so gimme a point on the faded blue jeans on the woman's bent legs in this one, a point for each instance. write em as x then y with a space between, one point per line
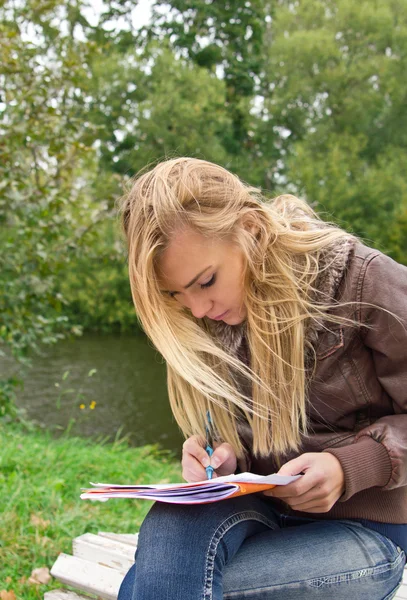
245 548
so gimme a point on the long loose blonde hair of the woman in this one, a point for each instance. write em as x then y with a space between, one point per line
282 265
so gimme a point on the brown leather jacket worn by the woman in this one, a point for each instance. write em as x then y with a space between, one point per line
358 393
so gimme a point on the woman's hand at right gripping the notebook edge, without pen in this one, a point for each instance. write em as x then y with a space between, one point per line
317 490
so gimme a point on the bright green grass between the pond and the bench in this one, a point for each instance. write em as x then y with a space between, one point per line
40 508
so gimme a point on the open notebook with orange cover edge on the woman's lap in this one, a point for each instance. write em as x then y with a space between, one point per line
201 492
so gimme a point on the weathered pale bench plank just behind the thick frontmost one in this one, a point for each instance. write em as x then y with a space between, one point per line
104 551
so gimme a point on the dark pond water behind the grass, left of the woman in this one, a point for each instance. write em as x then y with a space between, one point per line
102 385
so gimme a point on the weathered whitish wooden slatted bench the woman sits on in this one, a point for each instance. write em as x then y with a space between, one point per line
100 562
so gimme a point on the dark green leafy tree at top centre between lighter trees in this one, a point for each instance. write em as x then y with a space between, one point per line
225 38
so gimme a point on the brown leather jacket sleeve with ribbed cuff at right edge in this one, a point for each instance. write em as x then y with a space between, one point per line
378 455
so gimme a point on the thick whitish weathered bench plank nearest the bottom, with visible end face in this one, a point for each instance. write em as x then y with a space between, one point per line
87 576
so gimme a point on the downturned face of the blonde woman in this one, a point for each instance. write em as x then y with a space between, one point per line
204 275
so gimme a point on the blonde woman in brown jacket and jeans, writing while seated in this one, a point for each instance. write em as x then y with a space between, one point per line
293 335
